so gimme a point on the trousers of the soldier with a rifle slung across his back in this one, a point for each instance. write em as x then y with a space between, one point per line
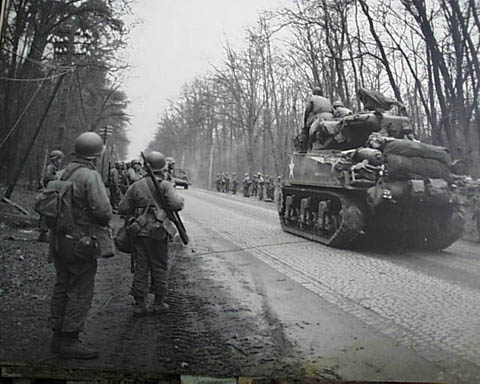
151 259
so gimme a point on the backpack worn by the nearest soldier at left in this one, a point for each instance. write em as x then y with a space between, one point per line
55 202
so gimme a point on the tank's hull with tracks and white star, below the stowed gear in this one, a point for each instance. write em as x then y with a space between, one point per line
325 201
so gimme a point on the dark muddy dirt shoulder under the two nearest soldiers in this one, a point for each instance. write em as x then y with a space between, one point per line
208 330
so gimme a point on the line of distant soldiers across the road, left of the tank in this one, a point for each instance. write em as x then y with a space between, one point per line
258 185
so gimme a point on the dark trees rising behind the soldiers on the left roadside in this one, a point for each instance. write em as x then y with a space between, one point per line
59 75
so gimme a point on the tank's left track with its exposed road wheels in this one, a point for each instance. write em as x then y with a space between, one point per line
330 218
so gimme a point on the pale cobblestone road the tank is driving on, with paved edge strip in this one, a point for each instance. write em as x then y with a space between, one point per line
365 314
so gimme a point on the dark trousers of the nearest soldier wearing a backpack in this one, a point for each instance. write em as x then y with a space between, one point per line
73 290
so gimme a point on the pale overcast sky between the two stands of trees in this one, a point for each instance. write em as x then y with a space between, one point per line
176 41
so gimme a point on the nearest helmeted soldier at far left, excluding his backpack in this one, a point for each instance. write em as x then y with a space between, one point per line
75 255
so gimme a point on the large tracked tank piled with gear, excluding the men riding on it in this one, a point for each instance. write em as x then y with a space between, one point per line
364 176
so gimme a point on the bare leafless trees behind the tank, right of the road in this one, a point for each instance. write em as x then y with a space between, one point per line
242 115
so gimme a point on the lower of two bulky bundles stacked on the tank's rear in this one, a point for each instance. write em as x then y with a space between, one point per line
405 168
